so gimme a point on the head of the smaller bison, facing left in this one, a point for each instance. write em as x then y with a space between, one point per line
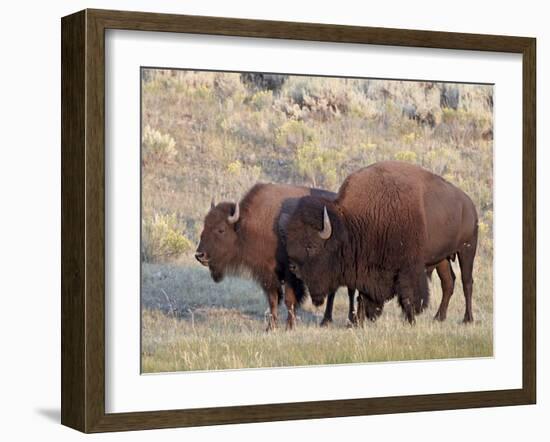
218 246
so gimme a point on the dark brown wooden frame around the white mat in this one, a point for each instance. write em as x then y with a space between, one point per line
83 220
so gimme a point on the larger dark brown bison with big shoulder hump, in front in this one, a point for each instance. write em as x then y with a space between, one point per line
374 236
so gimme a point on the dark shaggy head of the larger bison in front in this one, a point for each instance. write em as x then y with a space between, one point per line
314 236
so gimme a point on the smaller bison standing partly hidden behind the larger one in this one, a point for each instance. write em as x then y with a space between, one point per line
244 238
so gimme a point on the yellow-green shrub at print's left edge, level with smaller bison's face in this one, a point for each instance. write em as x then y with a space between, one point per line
162 239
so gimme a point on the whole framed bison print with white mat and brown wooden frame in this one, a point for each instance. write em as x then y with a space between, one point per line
268 220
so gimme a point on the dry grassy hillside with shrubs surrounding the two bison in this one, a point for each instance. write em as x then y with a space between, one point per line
208 135
